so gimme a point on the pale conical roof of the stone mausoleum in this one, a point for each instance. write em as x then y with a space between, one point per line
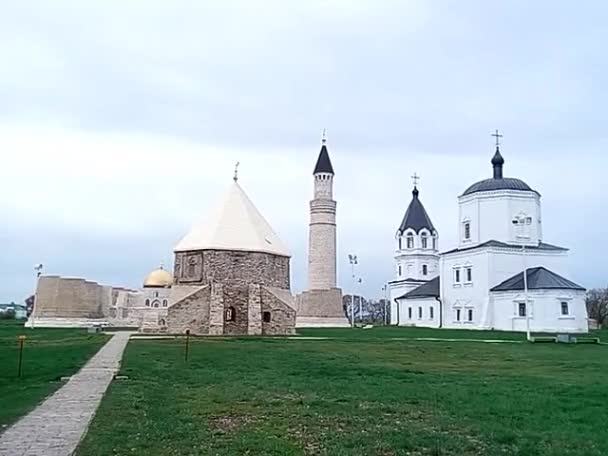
235 224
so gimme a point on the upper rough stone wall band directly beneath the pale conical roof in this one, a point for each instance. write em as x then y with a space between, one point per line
231 267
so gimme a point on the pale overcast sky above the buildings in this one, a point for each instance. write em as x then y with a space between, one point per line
120 123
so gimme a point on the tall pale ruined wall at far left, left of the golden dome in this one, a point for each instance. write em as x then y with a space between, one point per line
70 298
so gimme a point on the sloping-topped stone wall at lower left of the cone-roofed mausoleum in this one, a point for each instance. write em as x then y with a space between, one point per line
191 312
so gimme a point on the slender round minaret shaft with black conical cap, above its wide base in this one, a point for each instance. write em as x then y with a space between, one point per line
322 233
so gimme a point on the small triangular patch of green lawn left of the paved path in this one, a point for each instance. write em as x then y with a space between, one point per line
48 355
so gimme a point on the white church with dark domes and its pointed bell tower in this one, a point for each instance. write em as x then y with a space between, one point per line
481 284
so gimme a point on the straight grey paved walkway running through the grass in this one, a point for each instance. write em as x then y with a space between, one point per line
56 426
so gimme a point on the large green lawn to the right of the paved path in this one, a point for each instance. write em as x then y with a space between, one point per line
372 396
